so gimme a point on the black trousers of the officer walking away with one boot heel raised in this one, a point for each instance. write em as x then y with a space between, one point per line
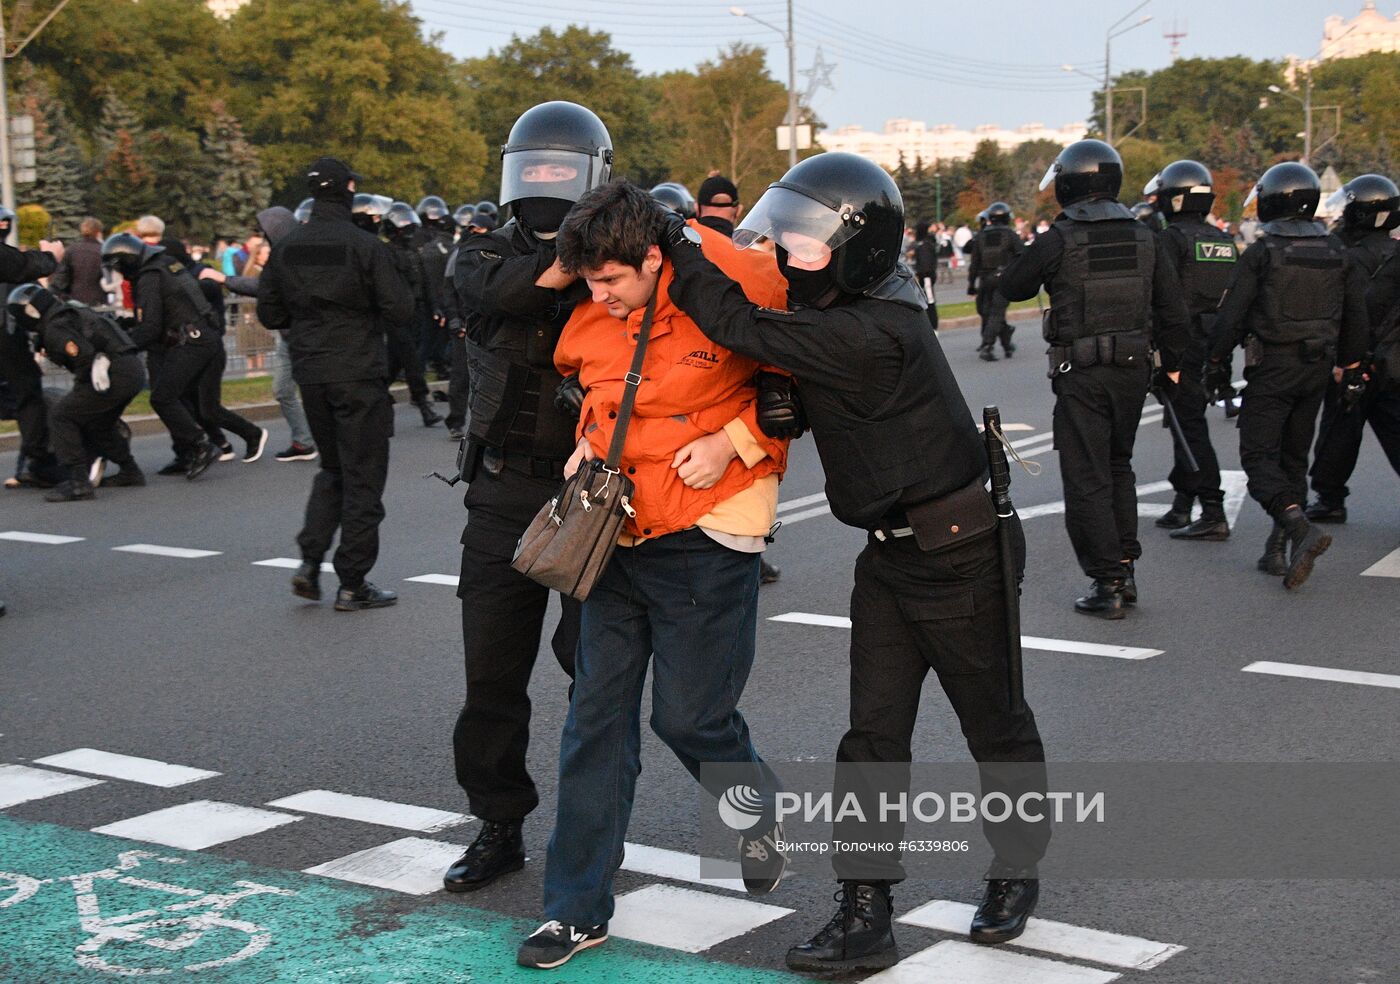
1277 416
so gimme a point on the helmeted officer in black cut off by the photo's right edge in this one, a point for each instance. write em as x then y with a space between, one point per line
1370 209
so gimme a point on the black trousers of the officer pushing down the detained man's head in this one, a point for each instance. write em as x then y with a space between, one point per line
913 612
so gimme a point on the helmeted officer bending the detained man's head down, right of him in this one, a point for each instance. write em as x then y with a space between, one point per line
927 596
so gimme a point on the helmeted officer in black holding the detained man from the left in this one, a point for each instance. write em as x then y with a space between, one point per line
519 442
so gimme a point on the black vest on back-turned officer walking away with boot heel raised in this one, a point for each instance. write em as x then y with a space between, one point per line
1304 285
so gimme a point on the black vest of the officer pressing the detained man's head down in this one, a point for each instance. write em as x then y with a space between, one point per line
922 444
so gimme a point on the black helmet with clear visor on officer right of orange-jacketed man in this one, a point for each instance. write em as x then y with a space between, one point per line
834 204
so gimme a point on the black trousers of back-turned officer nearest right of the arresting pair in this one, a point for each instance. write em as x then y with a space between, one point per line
1097 416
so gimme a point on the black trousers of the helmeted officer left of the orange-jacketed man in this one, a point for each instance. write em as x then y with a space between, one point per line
503 617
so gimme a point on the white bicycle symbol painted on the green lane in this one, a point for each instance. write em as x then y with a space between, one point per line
171 929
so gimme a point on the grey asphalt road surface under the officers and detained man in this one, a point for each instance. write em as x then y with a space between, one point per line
211 663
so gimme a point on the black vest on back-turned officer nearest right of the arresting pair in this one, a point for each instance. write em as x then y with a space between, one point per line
1105 281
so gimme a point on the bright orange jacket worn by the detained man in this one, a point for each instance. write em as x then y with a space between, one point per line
691 388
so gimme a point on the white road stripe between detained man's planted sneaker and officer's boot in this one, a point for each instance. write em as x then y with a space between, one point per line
687 920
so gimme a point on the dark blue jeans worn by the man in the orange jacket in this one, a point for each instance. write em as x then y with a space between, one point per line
689 607
